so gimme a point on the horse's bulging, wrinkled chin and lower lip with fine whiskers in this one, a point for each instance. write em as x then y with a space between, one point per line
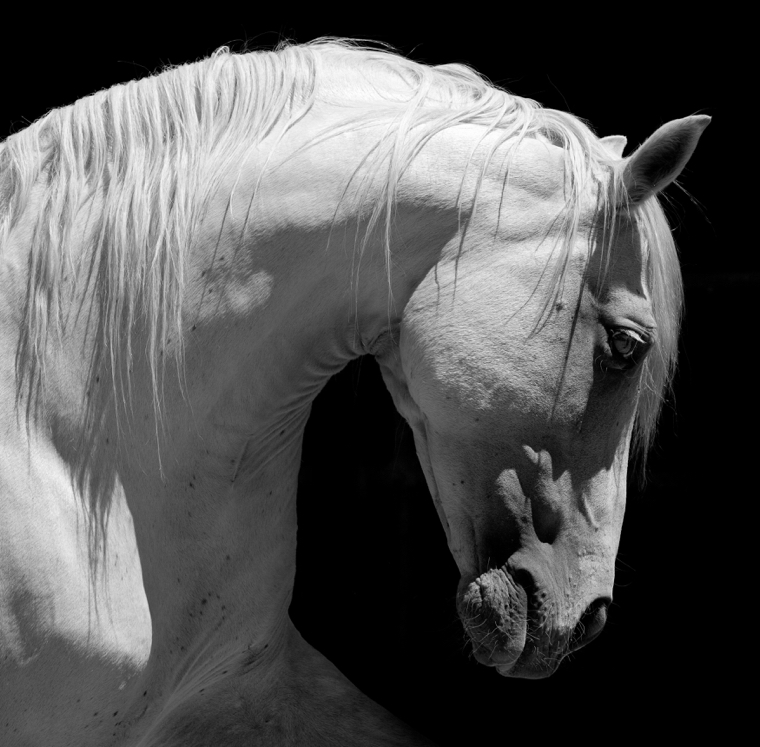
496 613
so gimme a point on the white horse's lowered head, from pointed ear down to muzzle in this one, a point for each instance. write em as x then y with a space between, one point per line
522 370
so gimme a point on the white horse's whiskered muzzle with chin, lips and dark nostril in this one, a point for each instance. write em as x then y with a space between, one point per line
513 623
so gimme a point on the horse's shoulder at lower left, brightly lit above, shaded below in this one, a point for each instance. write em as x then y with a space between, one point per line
69 643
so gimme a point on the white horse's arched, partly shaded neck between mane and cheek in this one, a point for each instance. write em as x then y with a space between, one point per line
271 315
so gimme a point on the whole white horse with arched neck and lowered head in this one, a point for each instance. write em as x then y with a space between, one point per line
185 261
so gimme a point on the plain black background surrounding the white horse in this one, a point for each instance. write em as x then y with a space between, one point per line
375 586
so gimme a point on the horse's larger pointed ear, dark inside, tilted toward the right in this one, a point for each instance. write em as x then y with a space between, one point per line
662 157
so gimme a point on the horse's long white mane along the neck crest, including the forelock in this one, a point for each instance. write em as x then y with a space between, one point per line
151 153
